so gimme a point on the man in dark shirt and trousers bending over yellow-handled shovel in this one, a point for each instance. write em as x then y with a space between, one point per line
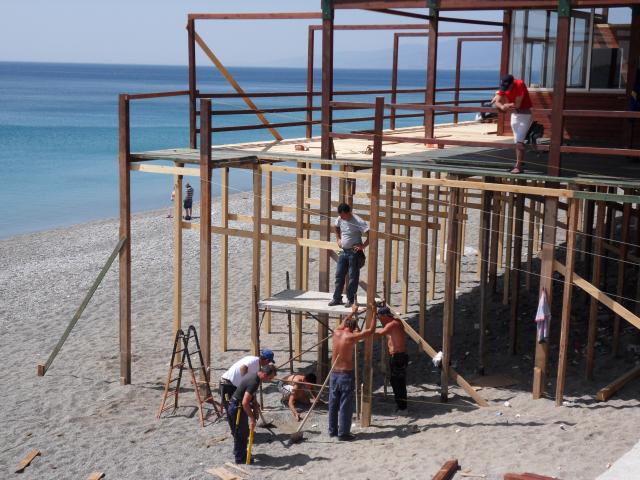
244 403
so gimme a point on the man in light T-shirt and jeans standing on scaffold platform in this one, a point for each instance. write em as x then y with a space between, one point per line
349 229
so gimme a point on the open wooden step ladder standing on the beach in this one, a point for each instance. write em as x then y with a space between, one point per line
201 387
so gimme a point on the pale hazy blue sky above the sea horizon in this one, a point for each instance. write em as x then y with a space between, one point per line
153 32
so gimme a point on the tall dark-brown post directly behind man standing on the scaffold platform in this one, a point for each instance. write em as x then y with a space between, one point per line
326 149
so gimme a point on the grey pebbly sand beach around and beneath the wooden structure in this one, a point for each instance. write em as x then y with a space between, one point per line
83 420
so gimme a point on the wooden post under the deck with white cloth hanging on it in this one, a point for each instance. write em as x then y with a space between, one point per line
546 284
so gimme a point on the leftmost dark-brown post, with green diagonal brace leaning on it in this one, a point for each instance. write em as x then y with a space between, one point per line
124 257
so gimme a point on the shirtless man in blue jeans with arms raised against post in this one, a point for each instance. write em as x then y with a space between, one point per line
341 383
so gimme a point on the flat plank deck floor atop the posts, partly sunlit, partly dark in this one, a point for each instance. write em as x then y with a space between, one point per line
465 161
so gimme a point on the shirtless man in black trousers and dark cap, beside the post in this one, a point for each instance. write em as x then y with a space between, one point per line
393 329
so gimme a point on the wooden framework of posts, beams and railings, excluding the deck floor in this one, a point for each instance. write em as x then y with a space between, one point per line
444 194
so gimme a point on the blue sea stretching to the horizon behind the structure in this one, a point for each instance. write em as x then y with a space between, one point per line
59 130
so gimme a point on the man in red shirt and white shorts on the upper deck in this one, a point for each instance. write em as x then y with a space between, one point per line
513 97
